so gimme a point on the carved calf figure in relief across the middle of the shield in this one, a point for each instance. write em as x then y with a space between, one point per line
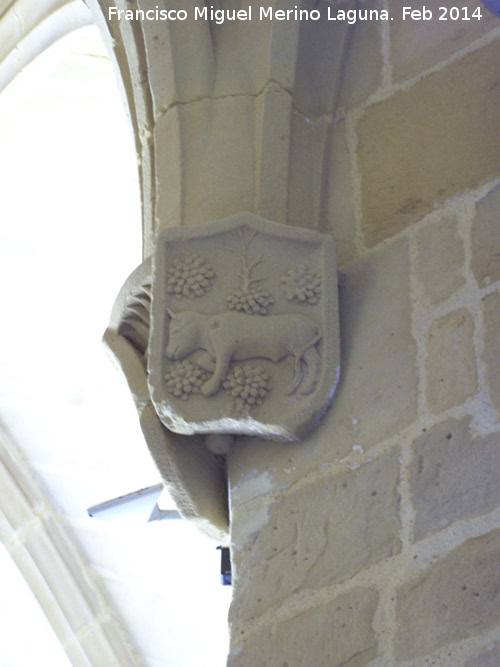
233 336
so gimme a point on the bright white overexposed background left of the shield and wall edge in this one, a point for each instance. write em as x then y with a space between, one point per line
70 233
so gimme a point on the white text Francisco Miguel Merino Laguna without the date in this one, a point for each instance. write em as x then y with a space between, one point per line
264 13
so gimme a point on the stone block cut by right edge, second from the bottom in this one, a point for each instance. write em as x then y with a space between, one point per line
454 599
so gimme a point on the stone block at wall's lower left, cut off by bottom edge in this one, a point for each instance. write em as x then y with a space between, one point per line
335 634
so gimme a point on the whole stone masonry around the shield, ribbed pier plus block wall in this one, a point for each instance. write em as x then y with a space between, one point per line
375 540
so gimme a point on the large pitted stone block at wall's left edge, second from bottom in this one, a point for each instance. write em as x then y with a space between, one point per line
319 535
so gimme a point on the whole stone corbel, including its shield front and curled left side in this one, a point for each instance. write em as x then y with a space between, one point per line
232 330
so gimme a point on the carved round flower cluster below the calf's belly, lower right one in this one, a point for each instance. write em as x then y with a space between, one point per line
248 386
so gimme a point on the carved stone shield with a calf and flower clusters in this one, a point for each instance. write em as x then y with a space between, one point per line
244 329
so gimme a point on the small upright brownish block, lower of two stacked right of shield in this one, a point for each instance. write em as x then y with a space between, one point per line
451 364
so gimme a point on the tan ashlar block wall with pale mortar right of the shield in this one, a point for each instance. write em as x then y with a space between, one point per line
376 540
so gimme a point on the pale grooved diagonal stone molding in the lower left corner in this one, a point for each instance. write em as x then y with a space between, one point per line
51 567
